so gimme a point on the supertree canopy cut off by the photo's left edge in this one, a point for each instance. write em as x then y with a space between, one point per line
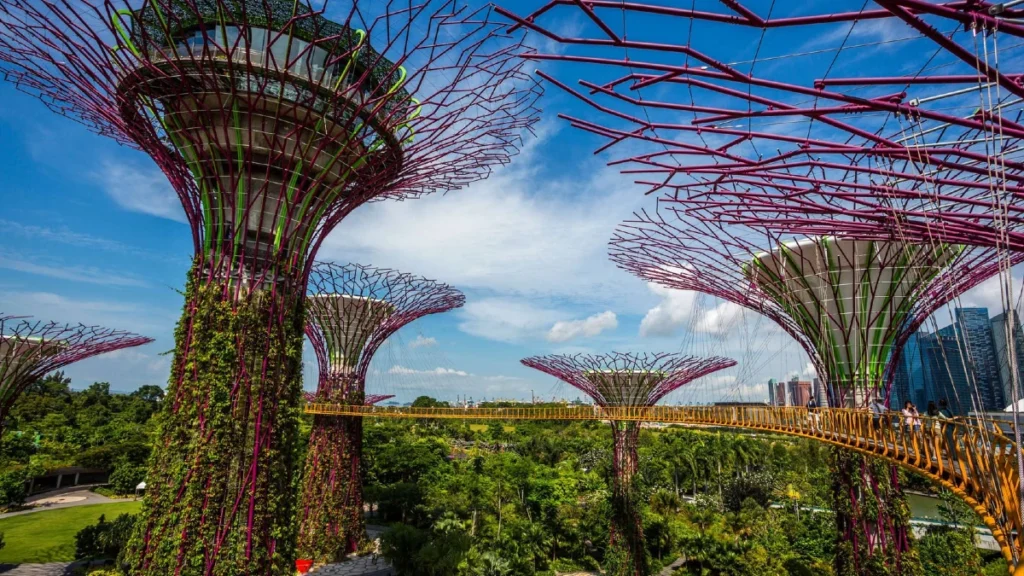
32 349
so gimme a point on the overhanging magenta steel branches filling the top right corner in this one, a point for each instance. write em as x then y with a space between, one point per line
924 141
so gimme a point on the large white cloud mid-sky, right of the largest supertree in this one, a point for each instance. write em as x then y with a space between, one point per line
519 233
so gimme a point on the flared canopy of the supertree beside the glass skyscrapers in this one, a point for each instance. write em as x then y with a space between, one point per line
685 252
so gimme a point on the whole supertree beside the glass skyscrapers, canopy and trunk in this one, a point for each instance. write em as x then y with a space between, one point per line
850 304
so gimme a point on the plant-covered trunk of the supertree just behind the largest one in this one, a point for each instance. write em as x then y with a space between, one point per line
331 523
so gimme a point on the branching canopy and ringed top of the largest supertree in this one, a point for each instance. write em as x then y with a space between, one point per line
306 117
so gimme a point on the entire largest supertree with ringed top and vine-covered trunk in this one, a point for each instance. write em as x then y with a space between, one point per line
272 124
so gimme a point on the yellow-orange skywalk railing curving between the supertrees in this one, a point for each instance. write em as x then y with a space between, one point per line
975 460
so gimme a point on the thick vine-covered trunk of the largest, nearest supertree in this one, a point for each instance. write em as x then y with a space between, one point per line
221 478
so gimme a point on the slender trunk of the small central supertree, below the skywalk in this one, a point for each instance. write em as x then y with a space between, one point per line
627 555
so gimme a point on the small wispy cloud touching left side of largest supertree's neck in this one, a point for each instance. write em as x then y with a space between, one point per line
142 191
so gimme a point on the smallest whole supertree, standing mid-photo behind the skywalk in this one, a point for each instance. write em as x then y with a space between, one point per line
626 380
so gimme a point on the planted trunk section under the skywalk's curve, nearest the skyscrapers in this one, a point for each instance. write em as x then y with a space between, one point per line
873 518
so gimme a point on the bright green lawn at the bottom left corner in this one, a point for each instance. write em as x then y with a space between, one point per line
50 536
